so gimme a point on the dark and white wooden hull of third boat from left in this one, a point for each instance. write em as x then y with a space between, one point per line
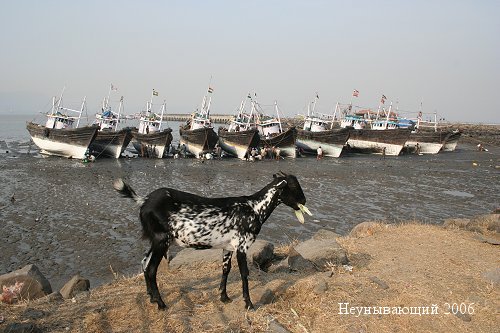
152 144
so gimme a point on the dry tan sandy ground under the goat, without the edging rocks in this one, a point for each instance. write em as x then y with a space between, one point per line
399 266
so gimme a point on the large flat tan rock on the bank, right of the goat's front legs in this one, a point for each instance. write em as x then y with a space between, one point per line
321 251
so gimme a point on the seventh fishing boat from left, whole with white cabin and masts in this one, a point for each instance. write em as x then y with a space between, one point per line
318 132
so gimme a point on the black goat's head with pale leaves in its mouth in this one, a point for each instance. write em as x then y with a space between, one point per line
292 194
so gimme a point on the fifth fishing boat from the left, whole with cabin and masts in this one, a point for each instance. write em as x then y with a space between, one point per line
242 135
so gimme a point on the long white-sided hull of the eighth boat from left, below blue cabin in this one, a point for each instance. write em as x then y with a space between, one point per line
391 141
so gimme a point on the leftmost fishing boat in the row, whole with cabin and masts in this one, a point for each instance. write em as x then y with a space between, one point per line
61 134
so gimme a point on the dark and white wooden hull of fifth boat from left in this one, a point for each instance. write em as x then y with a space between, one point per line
238 143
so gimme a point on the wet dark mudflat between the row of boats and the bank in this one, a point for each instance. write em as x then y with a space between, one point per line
66 218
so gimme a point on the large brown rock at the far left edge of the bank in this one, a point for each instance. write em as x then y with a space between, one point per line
35 285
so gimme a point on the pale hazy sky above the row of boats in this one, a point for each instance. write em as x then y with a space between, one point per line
444 53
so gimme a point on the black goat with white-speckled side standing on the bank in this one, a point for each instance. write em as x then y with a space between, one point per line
231 224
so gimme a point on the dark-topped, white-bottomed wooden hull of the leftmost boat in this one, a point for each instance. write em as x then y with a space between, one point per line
71 143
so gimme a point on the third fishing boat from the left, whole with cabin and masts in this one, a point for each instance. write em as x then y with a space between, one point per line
151 139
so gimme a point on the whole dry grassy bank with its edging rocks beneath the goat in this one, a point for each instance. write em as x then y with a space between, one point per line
381 277
